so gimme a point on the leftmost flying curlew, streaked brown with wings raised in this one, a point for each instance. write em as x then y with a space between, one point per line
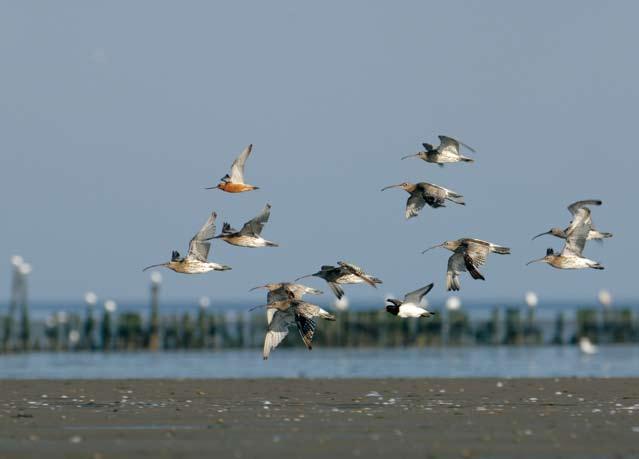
196 260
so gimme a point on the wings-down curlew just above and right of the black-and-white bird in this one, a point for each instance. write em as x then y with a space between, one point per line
468 255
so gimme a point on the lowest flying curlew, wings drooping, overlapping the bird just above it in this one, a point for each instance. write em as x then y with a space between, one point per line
288 312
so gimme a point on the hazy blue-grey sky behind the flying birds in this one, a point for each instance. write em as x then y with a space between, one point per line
115 115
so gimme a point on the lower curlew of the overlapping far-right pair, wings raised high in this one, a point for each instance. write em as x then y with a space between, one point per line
576 236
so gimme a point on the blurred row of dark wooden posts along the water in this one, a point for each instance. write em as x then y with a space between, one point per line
205 330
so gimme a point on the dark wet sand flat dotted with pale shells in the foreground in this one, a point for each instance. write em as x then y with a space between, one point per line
426 418
